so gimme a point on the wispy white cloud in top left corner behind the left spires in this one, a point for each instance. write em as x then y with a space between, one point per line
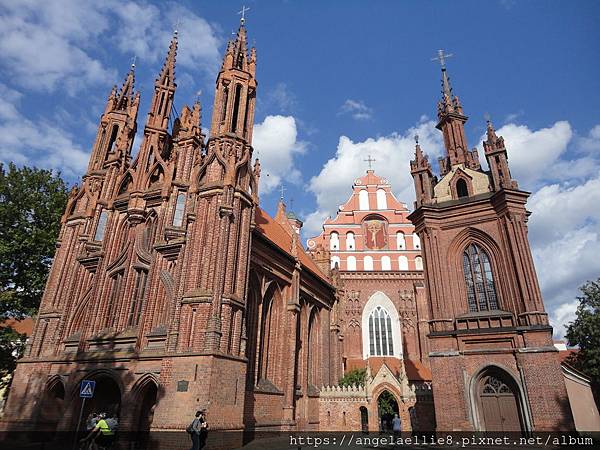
53 44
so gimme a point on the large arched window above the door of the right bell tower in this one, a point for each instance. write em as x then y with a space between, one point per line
481 290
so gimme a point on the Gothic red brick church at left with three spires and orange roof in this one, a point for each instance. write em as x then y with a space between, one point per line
171 287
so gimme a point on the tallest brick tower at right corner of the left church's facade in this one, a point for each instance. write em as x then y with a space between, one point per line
223 196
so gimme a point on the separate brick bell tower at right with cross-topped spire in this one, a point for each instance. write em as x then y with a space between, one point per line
492 357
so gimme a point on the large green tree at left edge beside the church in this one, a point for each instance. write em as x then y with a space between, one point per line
31 204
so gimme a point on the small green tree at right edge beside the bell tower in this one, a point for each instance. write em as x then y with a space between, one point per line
584 332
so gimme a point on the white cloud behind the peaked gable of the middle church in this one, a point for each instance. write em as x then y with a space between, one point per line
332 186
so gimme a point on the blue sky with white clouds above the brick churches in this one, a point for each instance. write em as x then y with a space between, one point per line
337 81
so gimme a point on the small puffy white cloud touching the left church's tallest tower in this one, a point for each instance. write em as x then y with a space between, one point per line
275 141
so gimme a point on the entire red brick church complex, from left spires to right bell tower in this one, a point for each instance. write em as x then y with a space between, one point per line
175 291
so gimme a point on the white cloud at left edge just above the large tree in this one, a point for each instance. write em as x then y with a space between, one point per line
41 144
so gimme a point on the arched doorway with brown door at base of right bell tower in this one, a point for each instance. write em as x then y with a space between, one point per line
498 402
